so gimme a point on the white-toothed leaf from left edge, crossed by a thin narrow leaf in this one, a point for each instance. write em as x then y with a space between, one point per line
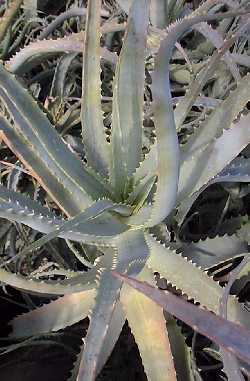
16 207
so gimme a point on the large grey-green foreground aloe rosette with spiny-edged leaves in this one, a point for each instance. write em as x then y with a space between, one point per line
121 196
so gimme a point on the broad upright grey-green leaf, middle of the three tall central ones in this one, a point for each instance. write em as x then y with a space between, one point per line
126 137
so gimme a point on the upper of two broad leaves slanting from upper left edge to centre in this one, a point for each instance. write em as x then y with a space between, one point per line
45 144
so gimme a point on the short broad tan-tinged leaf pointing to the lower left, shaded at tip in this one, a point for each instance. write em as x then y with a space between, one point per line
56 315
